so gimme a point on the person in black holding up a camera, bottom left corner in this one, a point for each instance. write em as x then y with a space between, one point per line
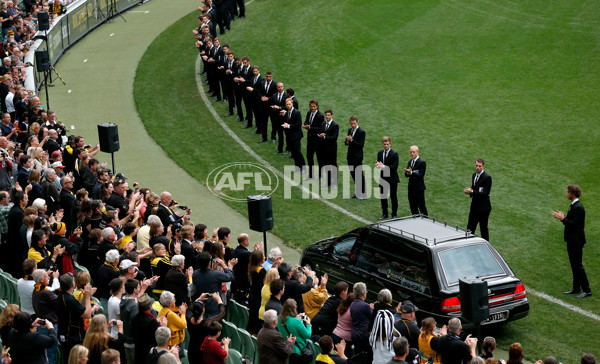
27 345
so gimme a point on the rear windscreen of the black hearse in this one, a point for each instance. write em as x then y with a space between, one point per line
469 261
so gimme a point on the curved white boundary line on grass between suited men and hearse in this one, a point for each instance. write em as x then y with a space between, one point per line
259 158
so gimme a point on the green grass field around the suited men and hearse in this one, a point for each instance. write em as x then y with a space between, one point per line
512 82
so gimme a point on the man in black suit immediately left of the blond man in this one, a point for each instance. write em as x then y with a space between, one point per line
387 161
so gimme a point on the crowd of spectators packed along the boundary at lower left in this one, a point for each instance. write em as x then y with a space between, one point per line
62 211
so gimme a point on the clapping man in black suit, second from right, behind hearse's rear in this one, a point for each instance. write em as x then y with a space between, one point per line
481 185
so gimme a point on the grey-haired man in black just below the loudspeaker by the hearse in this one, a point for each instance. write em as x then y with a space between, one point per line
452 348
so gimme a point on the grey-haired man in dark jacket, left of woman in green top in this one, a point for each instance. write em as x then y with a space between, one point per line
271 345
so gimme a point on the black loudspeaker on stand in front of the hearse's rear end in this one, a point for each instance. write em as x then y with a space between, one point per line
474 302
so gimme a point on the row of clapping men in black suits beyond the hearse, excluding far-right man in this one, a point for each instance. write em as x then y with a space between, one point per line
265 99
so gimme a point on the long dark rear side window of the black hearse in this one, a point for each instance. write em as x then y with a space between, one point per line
398 262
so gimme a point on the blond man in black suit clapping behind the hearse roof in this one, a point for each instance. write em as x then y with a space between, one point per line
415 172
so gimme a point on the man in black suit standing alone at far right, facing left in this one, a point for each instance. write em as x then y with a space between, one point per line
575 237
